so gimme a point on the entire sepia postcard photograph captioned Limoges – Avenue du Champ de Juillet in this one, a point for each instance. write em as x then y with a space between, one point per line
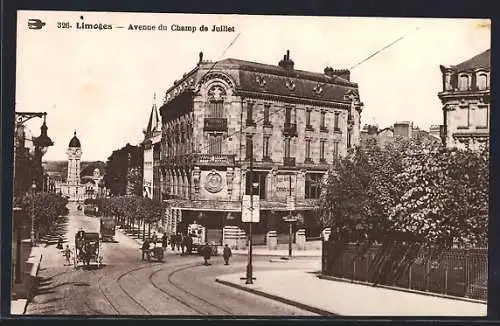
250 165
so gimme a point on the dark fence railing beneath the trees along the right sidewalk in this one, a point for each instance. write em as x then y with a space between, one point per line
454 272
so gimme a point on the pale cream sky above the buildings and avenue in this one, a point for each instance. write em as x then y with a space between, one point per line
101 83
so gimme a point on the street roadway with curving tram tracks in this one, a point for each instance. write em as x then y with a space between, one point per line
125 285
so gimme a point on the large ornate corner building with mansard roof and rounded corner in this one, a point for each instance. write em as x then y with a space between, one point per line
220 115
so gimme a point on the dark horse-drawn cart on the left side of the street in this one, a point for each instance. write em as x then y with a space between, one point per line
87 249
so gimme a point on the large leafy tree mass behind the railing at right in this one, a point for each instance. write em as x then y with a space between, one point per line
409 196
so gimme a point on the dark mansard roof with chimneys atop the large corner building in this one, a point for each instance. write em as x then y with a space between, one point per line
282 80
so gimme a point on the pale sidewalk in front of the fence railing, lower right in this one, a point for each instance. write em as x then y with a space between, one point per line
325 297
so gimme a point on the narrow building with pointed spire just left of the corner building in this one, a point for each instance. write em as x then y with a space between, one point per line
152 149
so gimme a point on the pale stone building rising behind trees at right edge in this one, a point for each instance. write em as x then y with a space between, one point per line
466 102
